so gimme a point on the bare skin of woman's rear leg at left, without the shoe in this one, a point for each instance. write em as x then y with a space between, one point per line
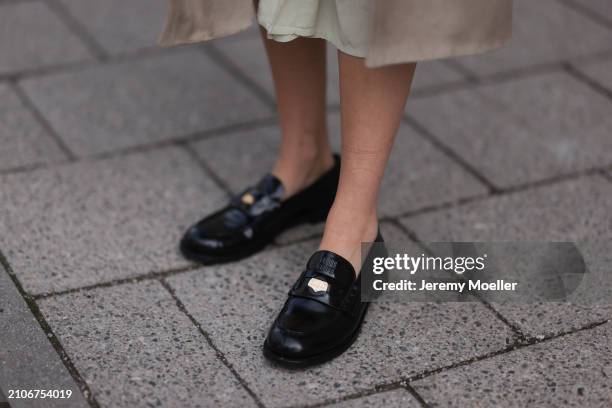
298 70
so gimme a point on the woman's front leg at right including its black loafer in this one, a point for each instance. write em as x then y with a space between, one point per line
309 330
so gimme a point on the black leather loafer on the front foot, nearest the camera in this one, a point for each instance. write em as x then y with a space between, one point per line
323 314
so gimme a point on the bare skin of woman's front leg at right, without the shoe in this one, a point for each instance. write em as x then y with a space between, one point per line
372 104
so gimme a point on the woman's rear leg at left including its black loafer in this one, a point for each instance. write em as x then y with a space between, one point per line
305 165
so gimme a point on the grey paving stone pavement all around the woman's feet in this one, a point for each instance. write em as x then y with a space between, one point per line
110 147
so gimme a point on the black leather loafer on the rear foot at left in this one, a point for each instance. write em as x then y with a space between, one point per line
256 216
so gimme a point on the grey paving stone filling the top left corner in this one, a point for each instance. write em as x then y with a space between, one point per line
33 37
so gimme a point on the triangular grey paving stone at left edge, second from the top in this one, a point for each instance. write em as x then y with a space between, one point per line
23 142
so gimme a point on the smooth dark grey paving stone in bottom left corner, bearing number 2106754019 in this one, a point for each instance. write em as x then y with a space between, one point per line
27 358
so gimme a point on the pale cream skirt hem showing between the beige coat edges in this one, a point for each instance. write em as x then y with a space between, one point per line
344 23
